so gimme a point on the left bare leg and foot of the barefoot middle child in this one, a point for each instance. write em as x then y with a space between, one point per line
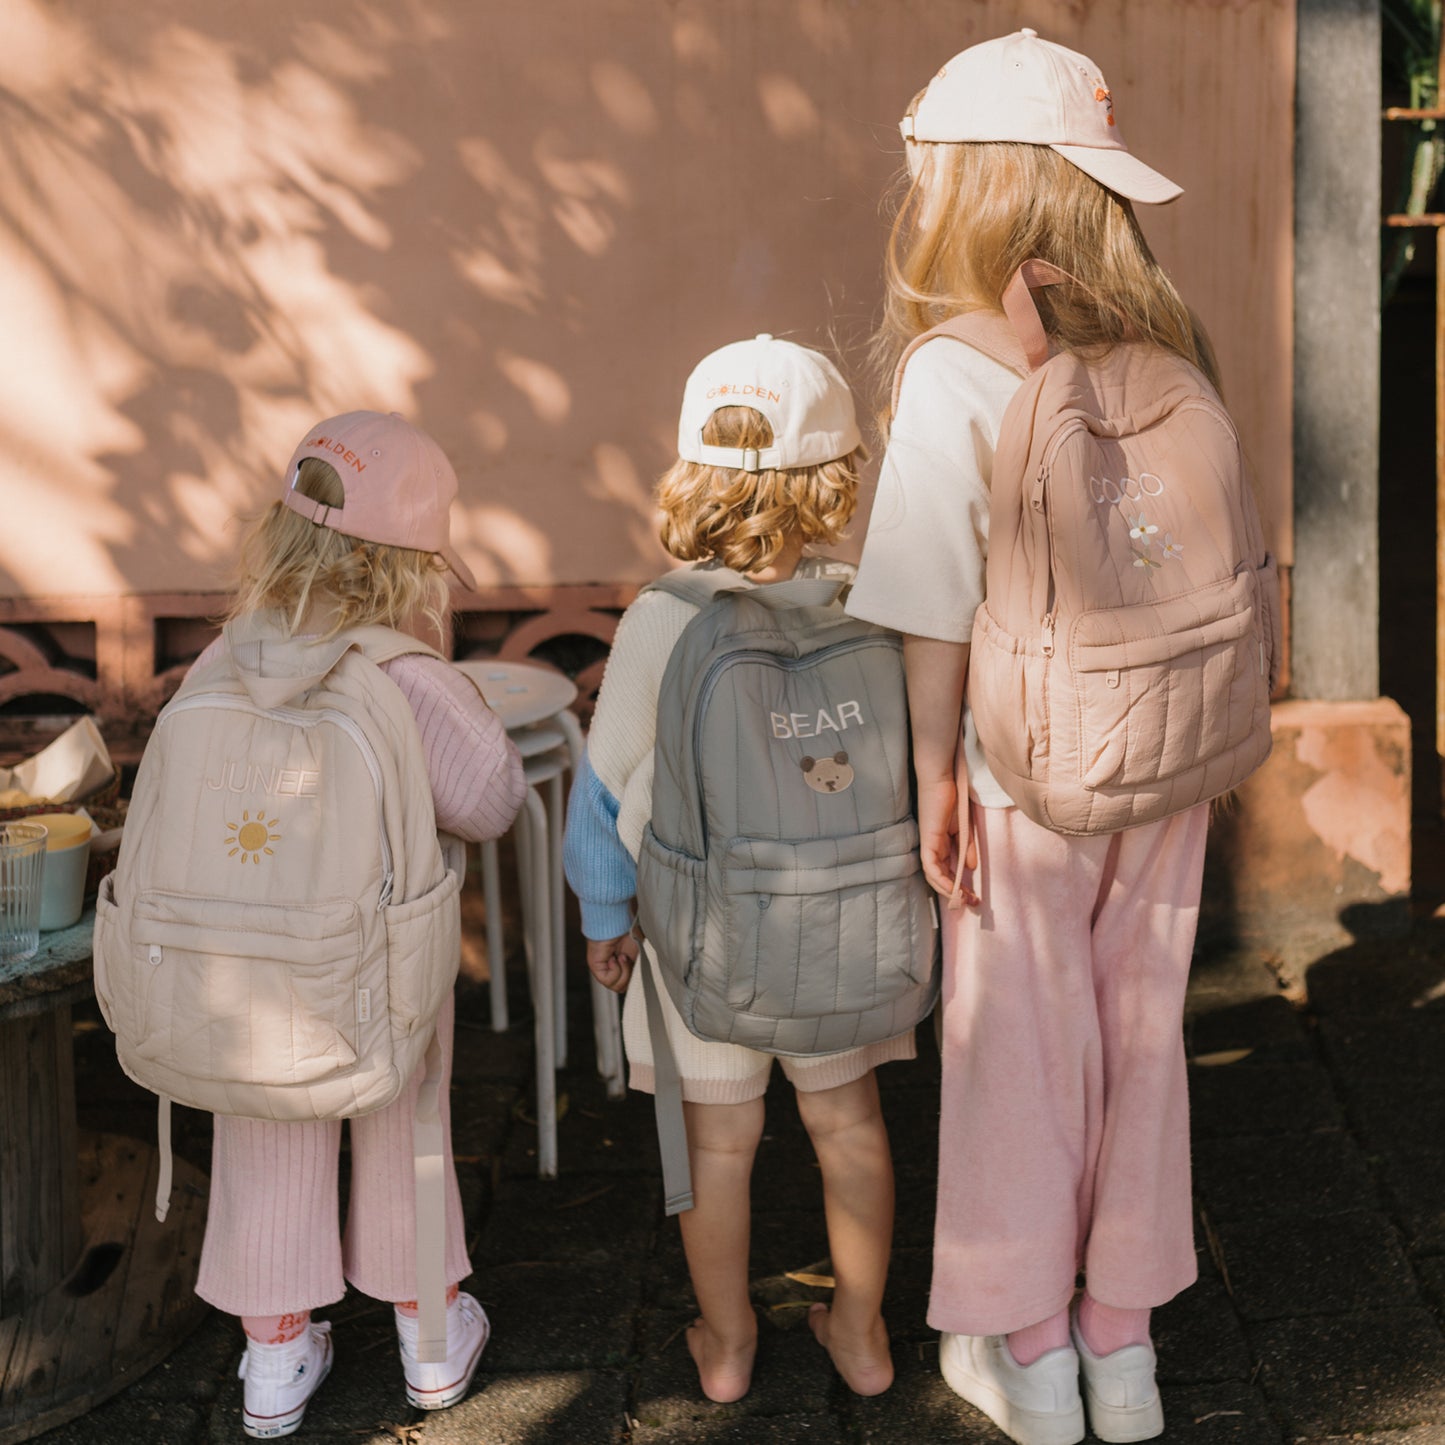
716 1233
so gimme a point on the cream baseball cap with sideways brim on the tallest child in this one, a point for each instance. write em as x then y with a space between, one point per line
1021 87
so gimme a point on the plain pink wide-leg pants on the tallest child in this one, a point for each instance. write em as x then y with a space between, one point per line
1066 1118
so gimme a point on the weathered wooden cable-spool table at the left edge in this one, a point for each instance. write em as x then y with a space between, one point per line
93 1290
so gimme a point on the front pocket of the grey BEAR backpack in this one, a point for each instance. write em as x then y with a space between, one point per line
826 927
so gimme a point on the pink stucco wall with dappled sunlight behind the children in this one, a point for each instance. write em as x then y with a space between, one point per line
521 225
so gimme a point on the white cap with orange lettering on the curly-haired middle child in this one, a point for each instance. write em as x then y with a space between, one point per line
800 391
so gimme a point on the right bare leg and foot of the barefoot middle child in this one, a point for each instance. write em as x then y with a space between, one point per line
846 1126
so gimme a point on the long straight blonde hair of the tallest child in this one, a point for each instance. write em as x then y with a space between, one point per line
975 212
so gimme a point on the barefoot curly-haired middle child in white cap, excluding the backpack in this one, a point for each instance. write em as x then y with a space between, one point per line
768 456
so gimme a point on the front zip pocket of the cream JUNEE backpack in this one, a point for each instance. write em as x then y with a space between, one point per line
246 993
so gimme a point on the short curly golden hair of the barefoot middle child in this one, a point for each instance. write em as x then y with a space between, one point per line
743 519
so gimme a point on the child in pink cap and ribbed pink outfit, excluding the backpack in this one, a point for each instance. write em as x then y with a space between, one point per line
358 538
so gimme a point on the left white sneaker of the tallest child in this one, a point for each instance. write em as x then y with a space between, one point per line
1034 1405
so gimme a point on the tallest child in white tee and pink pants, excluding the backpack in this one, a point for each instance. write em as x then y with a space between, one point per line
1064 1132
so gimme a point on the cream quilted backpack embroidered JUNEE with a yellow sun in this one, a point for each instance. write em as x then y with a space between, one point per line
282 928
